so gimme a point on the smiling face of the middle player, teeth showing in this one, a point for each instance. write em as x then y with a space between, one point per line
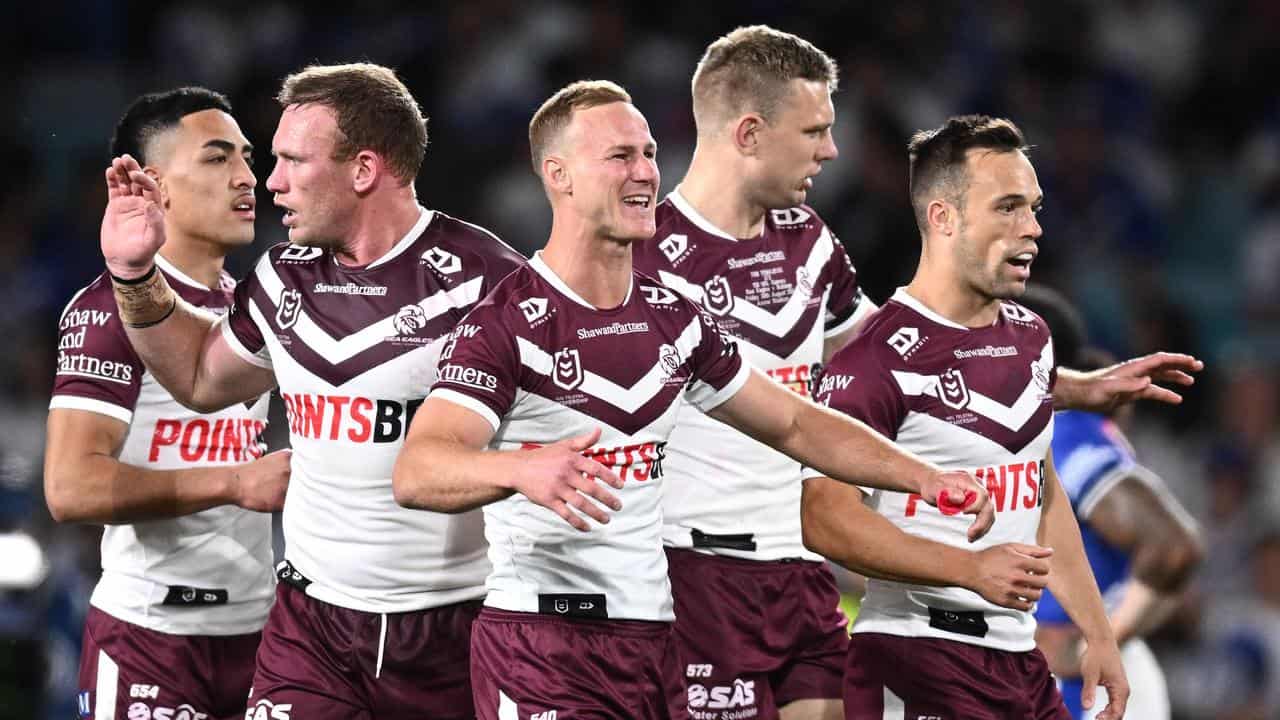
610 160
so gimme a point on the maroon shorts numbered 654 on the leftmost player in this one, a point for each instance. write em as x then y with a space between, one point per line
131 672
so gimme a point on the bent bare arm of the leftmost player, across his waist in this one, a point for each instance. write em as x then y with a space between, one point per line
86 484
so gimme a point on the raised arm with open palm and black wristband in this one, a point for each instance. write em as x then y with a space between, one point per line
181 345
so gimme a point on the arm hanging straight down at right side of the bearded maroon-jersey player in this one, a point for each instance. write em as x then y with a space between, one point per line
1076 589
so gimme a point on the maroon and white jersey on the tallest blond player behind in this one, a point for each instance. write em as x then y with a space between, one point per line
780 295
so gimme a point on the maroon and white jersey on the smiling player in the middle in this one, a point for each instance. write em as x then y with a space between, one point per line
541 366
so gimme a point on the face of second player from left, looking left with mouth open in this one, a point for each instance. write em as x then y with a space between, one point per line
314 190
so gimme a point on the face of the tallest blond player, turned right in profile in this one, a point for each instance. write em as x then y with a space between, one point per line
794 147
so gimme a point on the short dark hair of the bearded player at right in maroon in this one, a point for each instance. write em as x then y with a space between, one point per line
939 158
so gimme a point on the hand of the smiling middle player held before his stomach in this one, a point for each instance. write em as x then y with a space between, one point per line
560 479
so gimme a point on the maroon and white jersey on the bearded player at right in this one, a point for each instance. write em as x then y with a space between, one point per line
966 399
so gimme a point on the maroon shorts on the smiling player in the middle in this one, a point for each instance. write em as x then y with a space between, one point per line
529 667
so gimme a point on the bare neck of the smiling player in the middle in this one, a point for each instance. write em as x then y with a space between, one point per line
597 270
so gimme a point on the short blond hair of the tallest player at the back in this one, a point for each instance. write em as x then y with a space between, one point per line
751 70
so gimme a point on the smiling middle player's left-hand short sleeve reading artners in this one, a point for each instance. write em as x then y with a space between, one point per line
479 367
